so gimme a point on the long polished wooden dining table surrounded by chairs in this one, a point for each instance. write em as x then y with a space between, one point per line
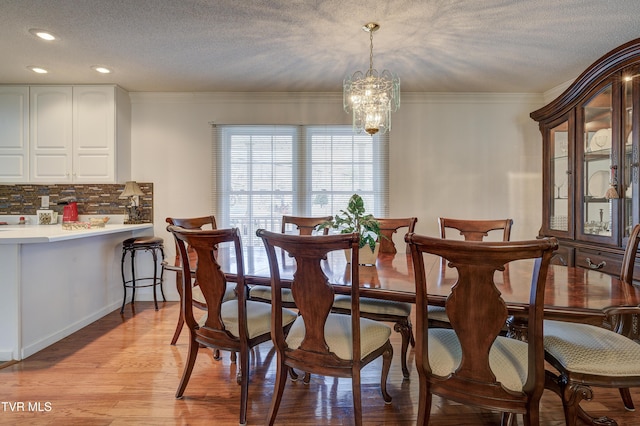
571 293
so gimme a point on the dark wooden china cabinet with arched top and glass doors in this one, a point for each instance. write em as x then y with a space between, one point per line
590 153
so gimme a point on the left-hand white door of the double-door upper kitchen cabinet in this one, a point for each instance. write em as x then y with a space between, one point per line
50 134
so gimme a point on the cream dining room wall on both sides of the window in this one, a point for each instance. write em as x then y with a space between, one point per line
458 155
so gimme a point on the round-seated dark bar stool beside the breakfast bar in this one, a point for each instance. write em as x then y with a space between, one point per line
149 244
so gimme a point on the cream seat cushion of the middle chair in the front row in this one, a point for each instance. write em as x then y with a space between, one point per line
337 333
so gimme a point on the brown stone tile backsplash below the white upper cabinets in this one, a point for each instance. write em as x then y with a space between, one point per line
92 199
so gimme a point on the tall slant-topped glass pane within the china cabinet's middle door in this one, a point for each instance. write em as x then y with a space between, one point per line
599 166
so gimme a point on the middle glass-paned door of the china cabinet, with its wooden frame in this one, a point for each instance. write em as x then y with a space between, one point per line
599 162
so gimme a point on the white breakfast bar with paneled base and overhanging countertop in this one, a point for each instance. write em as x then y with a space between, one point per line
55 281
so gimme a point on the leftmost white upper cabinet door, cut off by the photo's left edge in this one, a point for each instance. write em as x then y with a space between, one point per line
14 134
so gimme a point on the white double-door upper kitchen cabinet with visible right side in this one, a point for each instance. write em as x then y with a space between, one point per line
79 134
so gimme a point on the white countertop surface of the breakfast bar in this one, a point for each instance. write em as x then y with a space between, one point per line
29 234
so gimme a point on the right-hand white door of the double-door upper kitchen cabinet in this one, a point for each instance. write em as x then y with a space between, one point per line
94 133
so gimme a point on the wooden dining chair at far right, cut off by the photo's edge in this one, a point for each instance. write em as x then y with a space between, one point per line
586 355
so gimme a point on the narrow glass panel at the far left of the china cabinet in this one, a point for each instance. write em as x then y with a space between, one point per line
560 175
